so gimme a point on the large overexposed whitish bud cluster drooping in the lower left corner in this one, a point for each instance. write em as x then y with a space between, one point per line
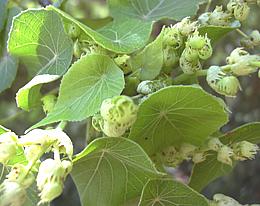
51 173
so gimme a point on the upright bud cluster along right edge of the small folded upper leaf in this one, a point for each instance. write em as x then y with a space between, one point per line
173 40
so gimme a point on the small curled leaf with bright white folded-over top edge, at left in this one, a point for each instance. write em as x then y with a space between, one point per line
29 96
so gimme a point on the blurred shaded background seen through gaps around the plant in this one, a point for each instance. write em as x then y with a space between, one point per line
243 183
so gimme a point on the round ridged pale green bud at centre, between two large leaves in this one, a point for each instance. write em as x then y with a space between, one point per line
119 109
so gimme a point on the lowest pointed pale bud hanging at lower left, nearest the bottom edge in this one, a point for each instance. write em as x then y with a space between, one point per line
50 191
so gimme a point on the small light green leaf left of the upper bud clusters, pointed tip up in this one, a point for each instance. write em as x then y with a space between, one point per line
150 60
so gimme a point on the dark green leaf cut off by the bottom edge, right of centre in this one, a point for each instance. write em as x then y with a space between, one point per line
169 192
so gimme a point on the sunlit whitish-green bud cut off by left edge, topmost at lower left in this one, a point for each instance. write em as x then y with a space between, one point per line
8 146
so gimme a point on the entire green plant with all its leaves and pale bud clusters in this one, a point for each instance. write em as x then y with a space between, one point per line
140 95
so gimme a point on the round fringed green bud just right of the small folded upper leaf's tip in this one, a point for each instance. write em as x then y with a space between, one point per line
172 37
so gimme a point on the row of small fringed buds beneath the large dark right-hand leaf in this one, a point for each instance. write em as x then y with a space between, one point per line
173 156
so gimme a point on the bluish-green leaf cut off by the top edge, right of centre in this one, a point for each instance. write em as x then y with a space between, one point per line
154 10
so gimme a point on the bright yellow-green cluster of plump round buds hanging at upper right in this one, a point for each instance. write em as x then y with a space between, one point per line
197 47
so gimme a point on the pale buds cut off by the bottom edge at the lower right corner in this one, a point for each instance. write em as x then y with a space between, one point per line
223 200
